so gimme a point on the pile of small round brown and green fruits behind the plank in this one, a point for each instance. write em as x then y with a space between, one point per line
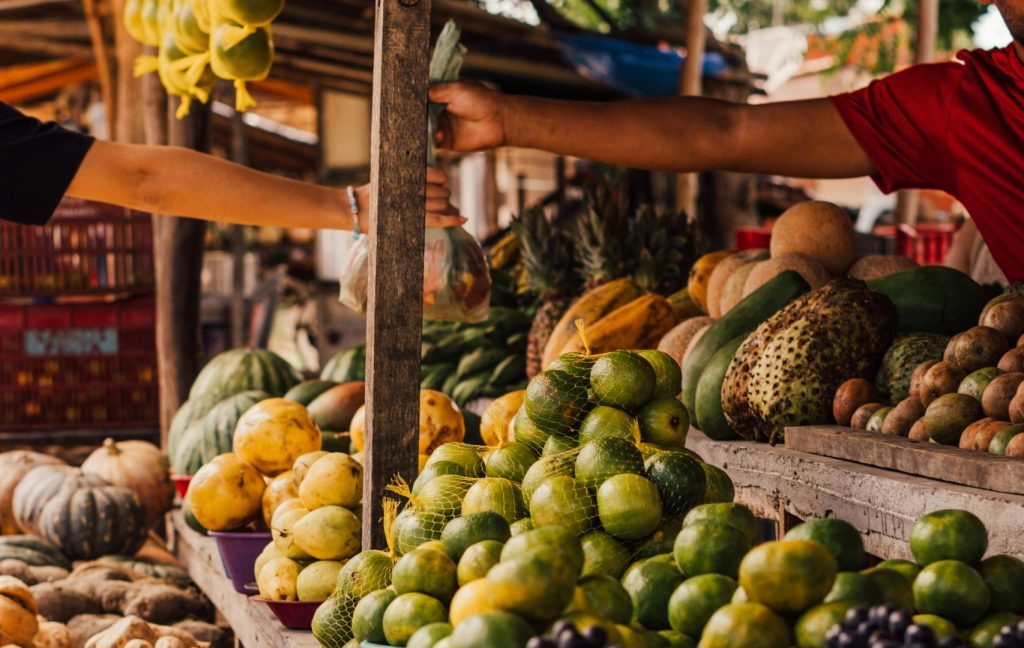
965 391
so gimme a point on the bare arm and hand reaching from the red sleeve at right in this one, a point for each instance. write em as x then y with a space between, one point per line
684 135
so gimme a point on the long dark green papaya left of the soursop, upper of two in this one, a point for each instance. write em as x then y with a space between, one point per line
747 316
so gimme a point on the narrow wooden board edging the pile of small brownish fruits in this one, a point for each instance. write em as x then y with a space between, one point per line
928 460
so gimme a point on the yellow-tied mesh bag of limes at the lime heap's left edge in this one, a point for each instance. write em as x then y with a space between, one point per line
365 574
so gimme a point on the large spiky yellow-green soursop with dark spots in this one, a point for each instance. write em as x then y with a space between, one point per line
788 370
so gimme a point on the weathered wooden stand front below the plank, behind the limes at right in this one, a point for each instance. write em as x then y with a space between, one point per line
790 487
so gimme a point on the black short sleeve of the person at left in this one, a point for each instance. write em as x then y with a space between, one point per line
38 161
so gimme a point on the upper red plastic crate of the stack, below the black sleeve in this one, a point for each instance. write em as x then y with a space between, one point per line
88 248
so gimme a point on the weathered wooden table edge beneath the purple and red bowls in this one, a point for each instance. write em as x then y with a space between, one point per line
253 623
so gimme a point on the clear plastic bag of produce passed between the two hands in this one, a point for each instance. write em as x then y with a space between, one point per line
456 275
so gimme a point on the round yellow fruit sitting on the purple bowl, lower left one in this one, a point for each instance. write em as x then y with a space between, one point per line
227 494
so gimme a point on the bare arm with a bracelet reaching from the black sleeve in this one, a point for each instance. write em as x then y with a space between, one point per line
172 181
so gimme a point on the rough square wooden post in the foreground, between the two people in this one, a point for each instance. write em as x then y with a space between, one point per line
396 295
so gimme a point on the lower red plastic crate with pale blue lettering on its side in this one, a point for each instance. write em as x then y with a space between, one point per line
79 366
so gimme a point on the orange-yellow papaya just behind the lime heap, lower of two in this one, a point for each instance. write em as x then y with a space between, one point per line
638 325
